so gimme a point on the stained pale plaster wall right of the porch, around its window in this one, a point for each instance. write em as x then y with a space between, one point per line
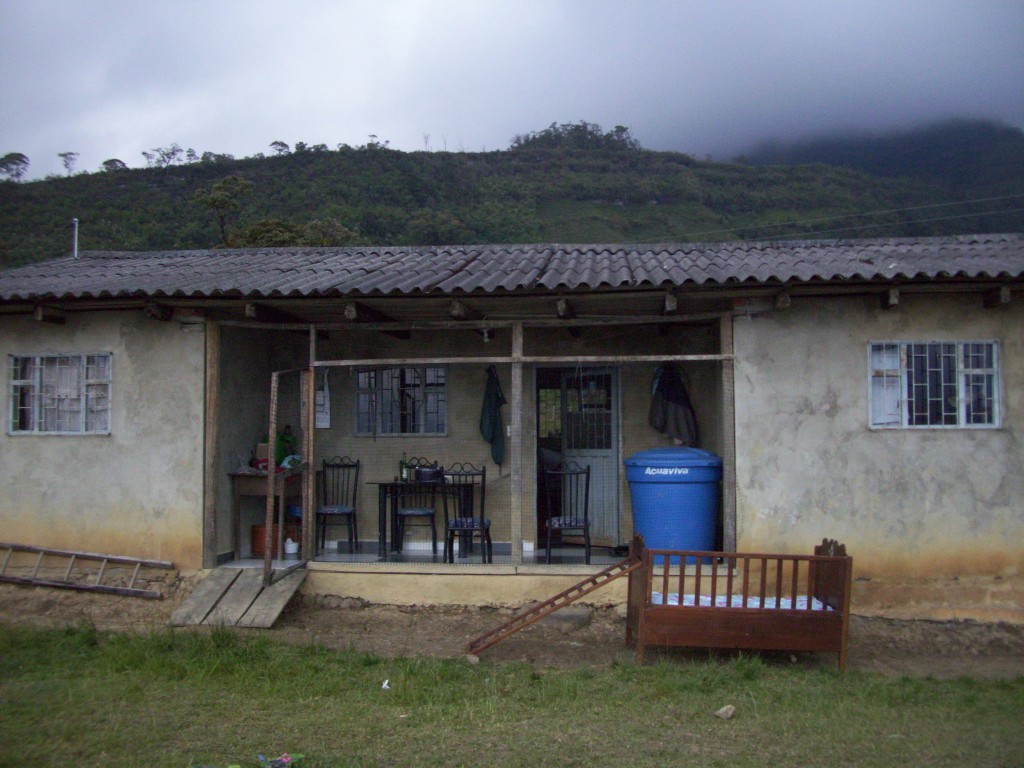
916 503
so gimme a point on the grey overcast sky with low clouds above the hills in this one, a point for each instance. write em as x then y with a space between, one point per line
112 78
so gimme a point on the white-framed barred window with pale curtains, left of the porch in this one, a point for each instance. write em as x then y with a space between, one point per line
60 394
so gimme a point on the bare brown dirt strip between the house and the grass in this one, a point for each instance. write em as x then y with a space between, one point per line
574 637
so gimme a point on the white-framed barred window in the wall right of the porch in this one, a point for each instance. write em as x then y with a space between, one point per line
934 385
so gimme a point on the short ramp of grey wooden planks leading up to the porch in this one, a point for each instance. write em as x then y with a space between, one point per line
236 598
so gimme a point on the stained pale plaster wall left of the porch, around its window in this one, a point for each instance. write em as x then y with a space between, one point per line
138 492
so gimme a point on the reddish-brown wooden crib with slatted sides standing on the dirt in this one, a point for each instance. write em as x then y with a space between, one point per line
744 590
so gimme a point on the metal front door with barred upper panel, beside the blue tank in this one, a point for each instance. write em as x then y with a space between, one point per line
578 420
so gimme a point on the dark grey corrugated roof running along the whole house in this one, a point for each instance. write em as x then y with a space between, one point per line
452 271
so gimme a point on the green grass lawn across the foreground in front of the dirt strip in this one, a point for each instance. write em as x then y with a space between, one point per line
79 698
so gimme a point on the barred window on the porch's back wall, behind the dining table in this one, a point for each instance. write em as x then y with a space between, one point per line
402 401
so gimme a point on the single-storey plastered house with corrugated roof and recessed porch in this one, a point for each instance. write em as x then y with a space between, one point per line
871 392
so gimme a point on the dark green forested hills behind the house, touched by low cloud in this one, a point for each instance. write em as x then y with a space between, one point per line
568 184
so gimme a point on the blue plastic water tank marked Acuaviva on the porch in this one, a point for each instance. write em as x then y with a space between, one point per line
675 494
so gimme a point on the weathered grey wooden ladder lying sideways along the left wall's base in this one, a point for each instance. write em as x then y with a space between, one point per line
86 582
